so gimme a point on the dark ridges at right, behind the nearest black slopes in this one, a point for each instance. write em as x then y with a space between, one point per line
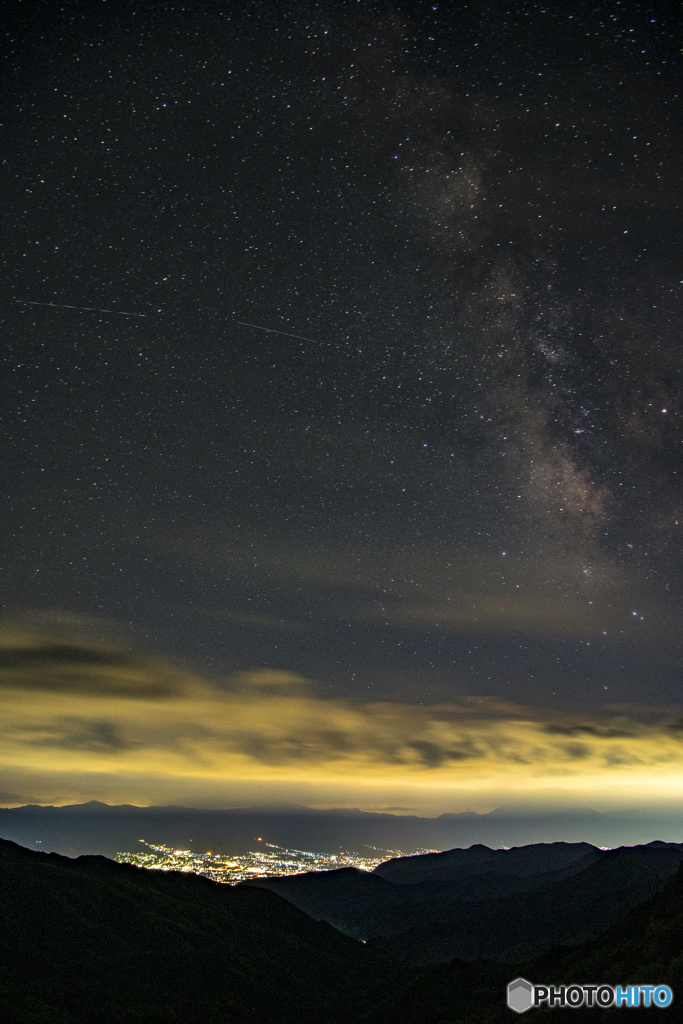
497 905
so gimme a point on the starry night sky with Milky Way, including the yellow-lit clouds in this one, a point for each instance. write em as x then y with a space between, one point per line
410 540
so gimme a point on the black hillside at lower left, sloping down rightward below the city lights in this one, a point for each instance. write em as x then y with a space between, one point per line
91 942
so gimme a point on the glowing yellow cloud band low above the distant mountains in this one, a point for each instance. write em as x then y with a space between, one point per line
76 708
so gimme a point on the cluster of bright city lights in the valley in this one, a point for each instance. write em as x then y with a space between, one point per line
255 865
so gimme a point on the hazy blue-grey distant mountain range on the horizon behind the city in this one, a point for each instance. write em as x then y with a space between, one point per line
100 829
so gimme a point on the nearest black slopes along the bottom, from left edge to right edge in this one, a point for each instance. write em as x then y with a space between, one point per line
94 943
